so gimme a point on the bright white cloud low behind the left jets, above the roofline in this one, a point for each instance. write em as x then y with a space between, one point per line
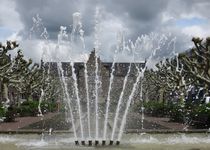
50 51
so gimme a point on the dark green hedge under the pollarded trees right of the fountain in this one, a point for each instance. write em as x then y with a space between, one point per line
196 115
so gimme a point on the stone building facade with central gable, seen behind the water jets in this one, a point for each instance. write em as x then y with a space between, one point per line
104 74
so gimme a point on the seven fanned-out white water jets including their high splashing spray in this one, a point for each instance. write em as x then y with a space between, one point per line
147 42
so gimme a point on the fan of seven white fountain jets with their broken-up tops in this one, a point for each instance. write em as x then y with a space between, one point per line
73 100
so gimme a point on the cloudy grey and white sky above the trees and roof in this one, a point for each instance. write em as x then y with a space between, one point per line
174 21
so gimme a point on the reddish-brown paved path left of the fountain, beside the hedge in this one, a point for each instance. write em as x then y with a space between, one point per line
21 122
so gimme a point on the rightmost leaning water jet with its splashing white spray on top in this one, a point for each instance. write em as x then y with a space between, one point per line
143 42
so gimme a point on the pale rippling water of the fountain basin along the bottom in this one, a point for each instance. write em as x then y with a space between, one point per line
129 141
